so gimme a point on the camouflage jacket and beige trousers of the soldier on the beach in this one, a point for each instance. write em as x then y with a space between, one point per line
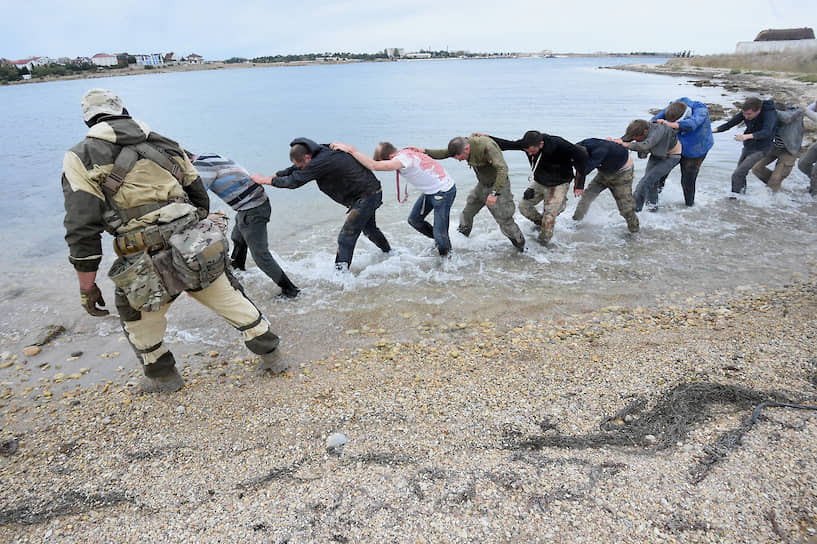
150 199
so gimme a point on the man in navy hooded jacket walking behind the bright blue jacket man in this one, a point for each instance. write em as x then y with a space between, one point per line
760 118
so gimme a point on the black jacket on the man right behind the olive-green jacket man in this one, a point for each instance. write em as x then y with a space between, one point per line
554 163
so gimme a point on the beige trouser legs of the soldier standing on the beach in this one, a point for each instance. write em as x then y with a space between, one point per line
145 330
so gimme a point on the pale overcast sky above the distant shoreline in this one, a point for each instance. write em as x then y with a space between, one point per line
218 30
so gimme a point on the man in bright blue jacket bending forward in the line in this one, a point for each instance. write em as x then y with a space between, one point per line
690 119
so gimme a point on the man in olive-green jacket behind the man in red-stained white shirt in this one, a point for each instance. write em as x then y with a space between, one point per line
493 187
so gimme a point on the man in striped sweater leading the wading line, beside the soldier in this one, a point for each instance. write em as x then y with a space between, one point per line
232 184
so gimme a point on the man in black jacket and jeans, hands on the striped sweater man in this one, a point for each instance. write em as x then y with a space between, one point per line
342 179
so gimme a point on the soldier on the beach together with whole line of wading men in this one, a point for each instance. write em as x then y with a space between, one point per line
150 194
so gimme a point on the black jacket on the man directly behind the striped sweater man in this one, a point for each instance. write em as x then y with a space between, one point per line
338 174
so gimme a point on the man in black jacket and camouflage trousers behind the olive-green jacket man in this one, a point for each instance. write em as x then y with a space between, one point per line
552 160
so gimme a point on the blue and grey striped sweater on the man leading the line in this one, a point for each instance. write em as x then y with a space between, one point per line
229 181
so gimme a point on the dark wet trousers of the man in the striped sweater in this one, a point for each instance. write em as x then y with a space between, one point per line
250 231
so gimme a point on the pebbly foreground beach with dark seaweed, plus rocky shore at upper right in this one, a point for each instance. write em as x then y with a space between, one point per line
615 424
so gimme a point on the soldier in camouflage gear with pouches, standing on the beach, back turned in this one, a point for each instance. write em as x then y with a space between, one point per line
141 188
